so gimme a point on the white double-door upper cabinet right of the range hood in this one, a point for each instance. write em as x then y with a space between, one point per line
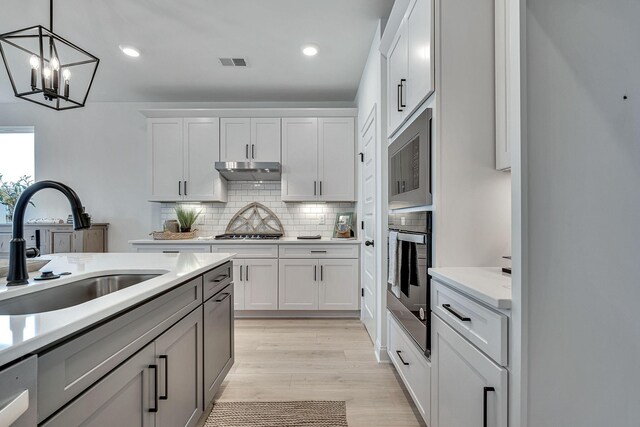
318 159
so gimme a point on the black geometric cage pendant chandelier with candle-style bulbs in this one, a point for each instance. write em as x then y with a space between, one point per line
47 69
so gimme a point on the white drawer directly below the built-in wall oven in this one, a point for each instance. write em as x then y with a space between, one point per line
412 366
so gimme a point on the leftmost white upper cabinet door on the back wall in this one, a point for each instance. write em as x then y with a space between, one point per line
166 154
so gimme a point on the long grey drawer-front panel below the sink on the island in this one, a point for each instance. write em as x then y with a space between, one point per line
67 370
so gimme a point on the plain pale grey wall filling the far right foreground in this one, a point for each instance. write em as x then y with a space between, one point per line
583 215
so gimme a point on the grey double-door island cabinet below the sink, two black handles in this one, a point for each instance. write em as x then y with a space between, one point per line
159 386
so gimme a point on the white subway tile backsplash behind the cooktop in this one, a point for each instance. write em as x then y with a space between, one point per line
296 218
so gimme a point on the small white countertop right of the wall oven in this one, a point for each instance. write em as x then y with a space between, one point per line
486 284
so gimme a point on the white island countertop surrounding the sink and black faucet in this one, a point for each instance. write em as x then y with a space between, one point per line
25 334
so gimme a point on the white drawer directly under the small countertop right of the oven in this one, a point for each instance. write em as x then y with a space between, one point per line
485 328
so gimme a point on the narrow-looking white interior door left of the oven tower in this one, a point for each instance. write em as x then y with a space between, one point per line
369 185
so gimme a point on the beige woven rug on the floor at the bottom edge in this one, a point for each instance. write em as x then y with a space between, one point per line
278 414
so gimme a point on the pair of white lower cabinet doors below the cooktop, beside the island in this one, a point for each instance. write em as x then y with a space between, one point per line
257 283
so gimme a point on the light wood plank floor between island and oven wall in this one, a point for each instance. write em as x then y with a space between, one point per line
317 359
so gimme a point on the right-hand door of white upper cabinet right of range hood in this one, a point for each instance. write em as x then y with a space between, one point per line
336 159
